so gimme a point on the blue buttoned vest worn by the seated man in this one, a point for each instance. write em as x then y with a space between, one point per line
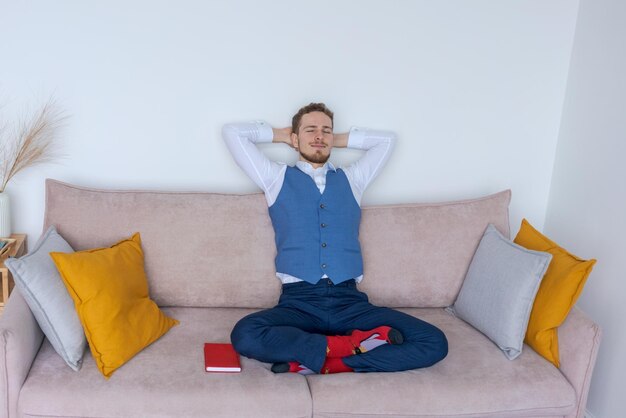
315 233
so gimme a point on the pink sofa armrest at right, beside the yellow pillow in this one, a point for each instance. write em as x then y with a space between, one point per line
579 340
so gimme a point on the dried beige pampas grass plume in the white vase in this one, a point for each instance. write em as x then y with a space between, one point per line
31 142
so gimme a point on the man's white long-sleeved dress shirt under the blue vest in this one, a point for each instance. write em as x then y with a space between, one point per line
241 140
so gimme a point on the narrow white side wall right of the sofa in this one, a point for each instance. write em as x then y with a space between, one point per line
587 206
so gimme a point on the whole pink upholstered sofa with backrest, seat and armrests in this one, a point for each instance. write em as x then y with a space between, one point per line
199 247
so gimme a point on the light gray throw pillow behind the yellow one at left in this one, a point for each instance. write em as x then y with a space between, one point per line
39 281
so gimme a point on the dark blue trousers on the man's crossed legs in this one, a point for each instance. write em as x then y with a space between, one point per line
296 330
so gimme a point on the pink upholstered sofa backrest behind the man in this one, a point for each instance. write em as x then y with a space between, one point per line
217 250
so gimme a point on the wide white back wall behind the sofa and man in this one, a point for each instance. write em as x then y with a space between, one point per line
473 89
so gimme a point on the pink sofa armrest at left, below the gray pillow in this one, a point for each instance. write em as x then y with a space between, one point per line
20 340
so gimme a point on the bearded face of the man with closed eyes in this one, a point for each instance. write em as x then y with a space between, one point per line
314 138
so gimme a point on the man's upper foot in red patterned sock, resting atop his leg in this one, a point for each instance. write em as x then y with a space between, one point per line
361 341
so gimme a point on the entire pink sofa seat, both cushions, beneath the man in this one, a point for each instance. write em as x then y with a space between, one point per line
168 379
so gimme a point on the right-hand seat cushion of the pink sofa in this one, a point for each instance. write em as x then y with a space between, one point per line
474 380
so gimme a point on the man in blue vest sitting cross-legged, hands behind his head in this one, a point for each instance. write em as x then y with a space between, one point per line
323 323
